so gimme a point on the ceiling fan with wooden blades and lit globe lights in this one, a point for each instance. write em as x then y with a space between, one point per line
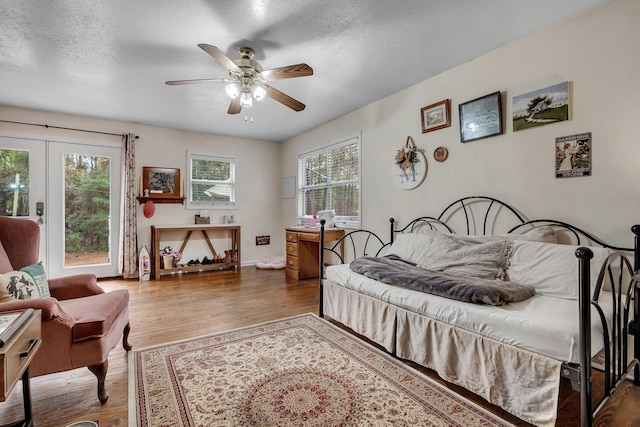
247 80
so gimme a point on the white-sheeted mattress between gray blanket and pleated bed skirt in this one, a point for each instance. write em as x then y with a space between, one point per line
541 324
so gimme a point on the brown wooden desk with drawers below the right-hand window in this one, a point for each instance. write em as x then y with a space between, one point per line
303 250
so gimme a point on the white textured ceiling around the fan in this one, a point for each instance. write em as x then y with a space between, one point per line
110 58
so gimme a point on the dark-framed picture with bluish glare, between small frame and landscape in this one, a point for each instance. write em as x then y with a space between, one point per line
481 117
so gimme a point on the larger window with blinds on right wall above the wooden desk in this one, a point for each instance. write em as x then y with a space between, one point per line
329 178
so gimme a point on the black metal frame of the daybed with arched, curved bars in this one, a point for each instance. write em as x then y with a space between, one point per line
480 215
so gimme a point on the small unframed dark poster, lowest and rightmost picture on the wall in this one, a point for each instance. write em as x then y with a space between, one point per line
573 155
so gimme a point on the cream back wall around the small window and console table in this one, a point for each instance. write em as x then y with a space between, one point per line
258 174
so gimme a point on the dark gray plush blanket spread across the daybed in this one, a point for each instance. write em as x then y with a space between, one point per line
392 270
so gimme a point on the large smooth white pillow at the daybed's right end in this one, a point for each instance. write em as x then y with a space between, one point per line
552 269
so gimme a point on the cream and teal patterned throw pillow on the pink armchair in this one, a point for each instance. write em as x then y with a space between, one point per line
28 283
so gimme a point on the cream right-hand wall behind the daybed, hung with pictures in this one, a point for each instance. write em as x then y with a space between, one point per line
597 52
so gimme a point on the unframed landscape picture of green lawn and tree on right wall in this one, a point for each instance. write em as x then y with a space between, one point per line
541 107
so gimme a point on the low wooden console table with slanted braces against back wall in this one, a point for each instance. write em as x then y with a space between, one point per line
232 231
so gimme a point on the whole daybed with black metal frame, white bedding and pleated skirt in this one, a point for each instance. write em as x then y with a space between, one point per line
542 308
